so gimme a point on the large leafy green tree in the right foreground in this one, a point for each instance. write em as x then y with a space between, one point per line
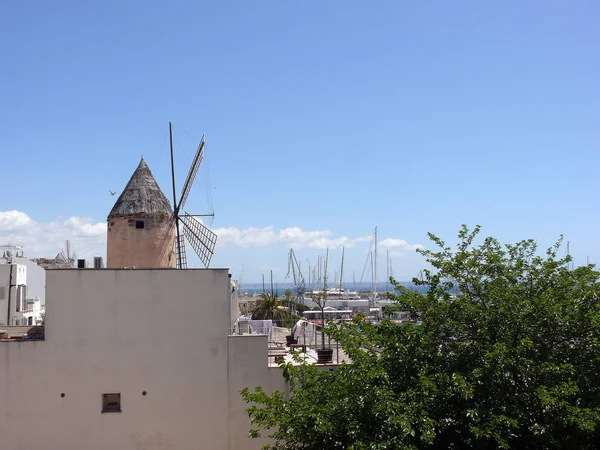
512 361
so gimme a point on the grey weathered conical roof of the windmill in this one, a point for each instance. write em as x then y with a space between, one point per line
141 195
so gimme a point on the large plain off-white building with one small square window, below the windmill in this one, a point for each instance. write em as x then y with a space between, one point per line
133 359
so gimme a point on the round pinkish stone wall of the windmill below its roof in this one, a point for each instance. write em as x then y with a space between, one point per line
141 241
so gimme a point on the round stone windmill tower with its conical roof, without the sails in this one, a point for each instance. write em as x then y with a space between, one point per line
141 231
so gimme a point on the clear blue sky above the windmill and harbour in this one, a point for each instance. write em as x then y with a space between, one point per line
326 118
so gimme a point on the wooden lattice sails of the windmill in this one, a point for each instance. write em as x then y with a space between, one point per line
187 226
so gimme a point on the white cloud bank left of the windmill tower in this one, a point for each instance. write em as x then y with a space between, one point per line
47 239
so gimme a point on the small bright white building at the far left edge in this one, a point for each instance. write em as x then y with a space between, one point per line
22 288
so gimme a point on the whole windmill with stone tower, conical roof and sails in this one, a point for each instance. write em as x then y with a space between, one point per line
143 230
